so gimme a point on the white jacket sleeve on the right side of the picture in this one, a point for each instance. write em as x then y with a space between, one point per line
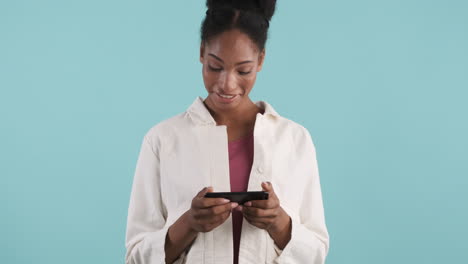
309 236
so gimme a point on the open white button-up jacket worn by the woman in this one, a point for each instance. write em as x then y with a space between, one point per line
185 153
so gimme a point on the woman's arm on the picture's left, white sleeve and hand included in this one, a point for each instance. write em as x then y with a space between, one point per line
147 228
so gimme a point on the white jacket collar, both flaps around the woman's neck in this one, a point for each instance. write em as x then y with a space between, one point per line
201 116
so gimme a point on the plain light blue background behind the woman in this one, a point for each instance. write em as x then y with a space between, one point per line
381 86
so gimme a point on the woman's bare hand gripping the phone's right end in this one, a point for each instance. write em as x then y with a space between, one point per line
268 215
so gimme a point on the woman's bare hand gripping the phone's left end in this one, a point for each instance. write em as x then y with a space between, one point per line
206 214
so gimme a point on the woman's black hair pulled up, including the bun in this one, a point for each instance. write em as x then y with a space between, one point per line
251 17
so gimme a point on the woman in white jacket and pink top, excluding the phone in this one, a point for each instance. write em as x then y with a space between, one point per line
226 143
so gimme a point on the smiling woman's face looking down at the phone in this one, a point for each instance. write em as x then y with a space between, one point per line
230 65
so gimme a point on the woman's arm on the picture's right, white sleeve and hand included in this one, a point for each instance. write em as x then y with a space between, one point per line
299 236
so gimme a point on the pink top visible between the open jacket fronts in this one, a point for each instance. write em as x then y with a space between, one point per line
240 164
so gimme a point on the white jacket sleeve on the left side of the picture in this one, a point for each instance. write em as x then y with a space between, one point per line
146 221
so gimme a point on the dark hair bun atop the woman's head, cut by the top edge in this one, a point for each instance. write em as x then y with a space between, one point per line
266 8
